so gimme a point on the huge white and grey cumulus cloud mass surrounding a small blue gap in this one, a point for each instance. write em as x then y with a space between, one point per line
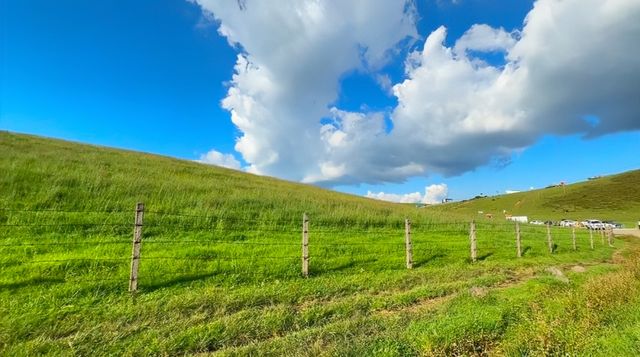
572 60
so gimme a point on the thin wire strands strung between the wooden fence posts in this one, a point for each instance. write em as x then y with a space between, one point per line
167 233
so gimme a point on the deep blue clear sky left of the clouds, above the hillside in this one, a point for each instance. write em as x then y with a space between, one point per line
128 74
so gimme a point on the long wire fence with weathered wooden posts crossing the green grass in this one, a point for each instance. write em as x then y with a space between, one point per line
476 243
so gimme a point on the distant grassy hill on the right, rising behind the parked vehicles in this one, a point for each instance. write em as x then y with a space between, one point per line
615 197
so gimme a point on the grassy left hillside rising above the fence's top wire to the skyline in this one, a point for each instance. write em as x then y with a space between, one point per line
54 174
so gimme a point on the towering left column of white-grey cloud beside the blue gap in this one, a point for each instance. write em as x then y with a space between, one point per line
292 57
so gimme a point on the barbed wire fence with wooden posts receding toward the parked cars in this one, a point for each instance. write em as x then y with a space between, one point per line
317 244
